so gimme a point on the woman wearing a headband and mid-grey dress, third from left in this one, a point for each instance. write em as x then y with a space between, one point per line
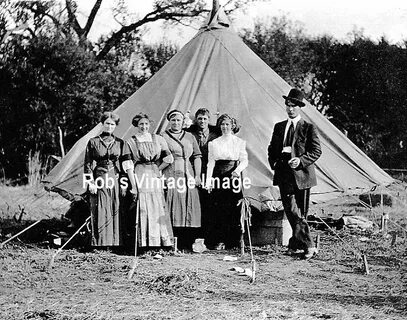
182 199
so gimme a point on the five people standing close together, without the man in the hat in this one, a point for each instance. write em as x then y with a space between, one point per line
169 184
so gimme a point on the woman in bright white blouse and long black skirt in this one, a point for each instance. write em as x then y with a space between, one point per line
227 158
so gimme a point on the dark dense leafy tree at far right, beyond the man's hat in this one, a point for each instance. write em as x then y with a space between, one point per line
365 92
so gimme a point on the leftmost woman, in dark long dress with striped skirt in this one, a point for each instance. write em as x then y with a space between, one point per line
102 168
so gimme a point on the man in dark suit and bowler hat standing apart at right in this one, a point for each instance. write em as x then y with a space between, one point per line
293 149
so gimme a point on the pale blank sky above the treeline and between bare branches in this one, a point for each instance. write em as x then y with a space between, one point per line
317 17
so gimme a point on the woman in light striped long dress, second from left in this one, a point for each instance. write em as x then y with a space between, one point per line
145 155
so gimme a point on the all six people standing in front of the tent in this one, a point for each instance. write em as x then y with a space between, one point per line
194 206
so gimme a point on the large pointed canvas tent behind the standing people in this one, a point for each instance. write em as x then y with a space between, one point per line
216 70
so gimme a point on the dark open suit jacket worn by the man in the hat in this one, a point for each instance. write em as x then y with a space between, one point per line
305 146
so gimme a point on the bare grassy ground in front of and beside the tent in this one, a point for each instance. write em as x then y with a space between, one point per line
94 285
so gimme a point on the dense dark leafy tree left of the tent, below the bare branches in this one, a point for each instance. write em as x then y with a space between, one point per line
49 82
